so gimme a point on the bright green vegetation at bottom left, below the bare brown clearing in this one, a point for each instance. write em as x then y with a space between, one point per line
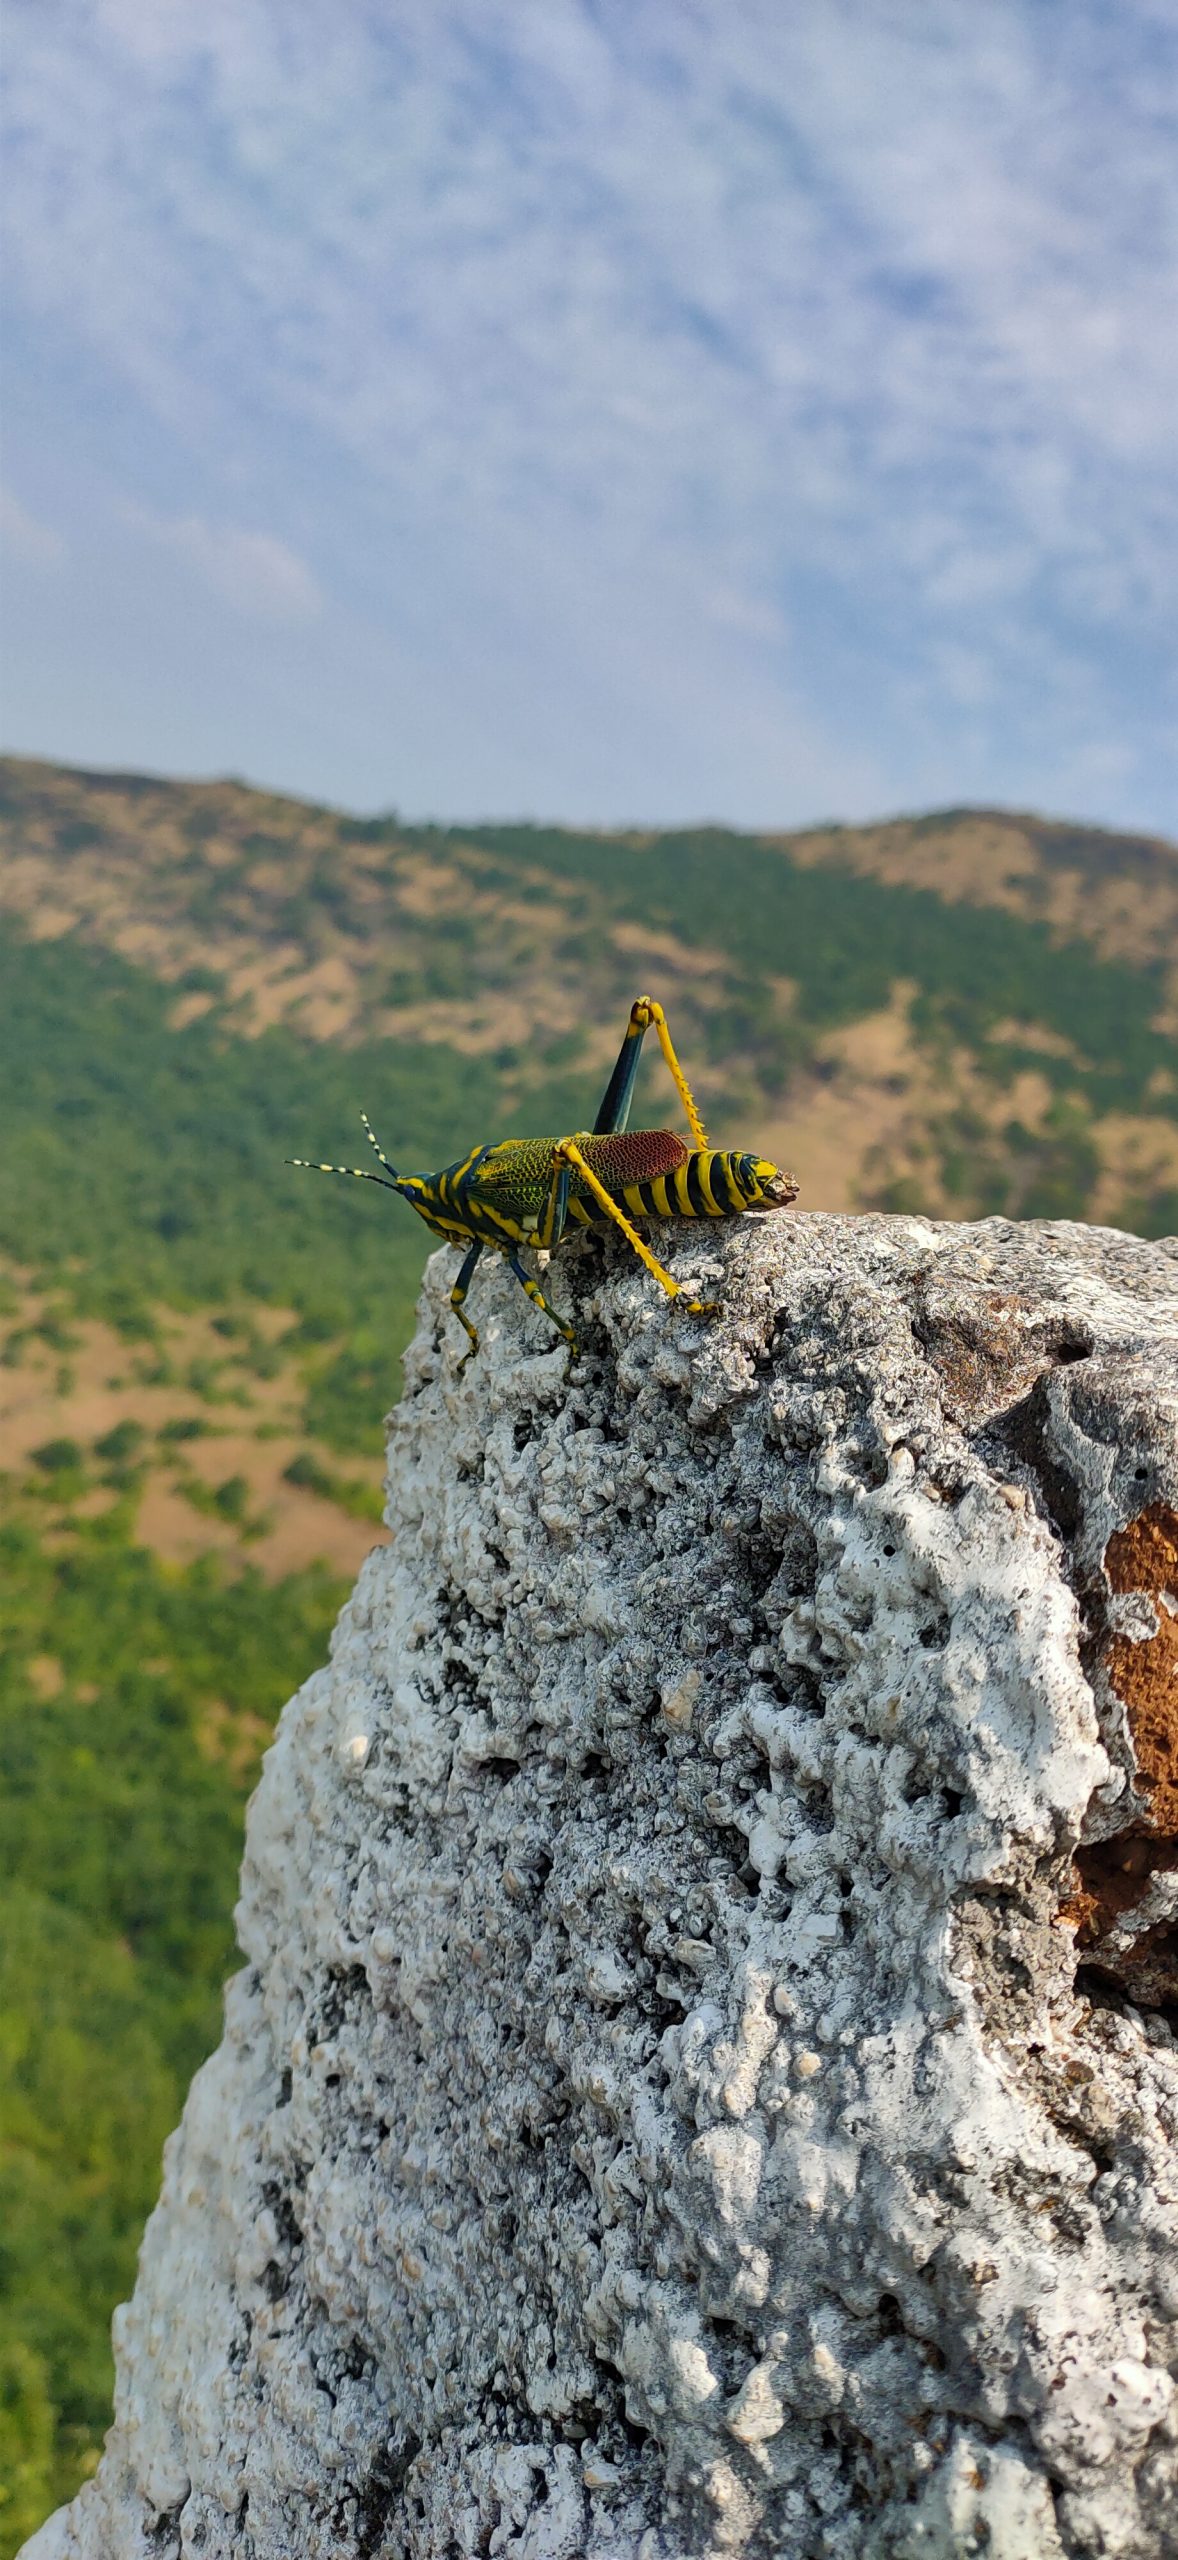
122 1791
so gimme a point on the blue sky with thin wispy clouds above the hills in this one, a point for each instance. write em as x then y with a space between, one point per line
598 411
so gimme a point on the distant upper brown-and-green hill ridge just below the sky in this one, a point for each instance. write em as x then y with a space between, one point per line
972 1010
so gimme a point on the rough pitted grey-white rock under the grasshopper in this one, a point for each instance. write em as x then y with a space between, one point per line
703 2075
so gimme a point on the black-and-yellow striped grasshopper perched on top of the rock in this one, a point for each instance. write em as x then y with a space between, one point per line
539 1189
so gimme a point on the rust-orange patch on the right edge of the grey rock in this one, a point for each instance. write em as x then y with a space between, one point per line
1143 1558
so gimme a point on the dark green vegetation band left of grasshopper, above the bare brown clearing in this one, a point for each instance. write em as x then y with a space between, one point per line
147 1164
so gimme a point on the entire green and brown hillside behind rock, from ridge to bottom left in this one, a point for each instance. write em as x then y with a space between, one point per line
959 1012
